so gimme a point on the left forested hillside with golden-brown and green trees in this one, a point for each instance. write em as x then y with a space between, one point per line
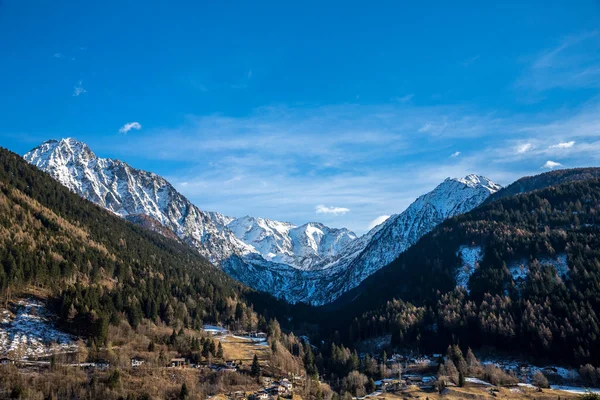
100 268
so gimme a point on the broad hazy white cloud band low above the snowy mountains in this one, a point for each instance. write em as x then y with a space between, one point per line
279 162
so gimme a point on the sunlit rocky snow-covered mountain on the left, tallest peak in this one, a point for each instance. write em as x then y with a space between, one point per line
126 191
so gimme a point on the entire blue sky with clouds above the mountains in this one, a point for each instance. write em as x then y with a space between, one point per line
333 111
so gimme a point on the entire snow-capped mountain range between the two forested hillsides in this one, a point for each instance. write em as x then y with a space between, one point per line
310 263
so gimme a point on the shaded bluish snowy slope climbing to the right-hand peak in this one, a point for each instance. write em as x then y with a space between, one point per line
334 275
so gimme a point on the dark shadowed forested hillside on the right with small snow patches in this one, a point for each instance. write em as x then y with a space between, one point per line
519 296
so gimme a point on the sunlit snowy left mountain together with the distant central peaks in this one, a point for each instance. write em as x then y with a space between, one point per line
127 191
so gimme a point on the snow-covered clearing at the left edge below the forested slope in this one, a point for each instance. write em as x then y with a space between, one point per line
30 333
